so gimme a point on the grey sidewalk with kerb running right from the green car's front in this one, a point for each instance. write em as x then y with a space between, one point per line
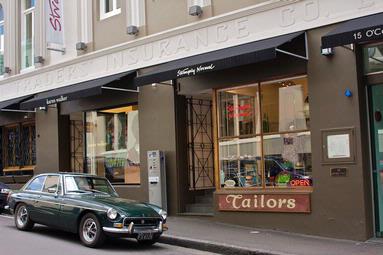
228 239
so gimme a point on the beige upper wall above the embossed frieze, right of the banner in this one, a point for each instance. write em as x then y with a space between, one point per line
161 15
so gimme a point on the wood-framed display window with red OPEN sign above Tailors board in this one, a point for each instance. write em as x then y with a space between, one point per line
264 135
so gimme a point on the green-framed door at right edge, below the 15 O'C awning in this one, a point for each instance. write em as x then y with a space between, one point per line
376 109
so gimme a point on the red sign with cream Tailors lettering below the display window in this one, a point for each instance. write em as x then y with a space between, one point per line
265 202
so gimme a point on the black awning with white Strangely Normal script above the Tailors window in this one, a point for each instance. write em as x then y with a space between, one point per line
227 58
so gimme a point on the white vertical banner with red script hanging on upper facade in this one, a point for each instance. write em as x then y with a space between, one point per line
54 21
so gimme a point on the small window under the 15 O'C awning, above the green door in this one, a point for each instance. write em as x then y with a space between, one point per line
373 59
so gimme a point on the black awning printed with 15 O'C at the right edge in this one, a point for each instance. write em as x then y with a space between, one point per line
360 30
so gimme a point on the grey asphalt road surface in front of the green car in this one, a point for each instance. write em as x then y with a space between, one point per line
45 241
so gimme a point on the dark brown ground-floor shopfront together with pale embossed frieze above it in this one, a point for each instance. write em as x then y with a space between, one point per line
260 127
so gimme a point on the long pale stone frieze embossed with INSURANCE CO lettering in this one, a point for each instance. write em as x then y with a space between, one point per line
258 22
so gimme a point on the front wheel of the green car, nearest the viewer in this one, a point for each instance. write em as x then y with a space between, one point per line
90 231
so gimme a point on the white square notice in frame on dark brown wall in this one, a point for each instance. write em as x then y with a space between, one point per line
338 146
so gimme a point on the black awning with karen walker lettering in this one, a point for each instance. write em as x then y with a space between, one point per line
120 82
